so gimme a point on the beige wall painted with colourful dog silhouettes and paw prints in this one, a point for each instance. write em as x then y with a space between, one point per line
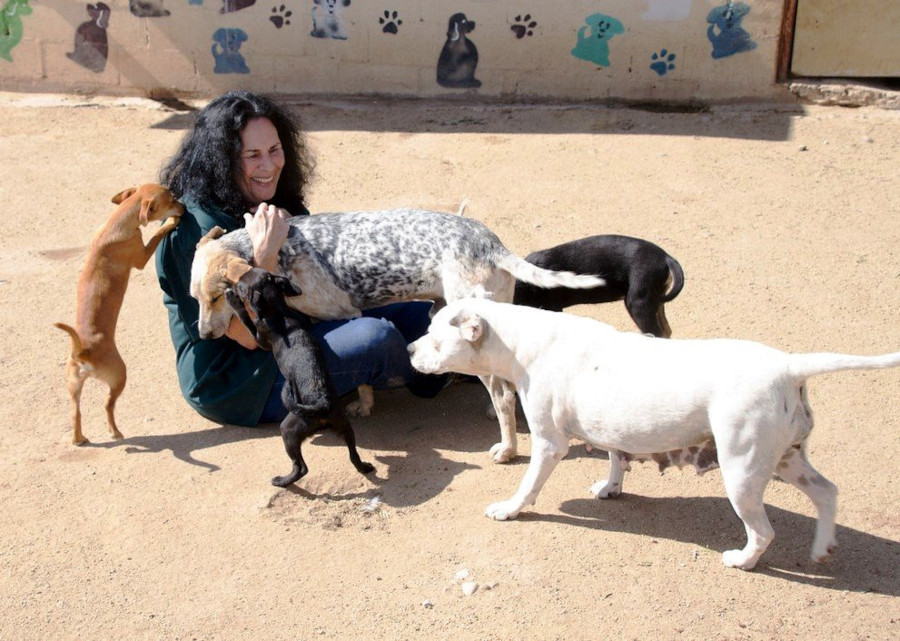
655 50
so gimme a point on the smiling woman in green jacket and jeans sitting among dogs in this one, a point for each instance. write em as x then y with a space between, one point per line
246 154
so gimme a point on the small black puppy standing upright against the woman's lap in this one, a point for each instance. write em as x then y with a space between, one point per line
308 394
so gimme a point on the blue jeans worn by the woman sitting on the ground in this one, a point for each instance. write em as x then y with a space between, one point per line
368 350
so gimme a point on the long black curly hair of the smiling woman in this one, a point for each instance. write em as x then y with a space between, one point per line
208 164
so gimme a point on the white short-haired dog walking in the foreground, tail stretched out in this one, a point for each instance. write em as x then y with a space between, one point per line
730 403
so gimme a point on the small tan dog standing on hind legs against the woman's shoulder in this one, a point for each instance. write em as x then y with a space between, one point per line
115 249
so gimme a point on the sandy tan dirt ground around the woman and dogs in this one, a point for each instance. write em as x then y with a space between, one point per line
787 224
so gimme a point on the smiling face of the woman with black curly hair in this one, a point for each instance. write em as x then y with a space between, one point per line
262 159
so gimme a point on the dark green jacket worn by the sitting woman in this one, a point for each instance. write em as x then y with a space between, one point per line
223 381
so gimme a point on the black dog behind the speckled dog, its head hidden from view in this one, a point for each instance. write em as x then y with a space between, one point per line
634 269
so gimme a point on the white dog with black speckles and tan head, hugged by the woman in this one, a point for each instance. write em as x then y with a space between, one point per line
346 262
